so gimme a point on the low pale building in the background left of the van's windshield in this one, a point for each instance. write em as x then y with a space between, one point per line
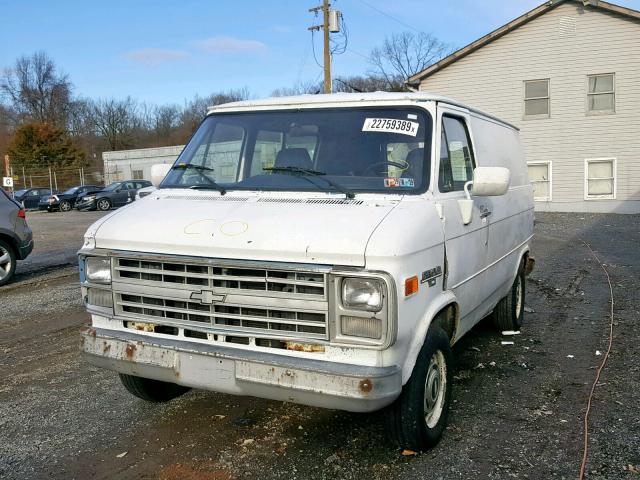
136 164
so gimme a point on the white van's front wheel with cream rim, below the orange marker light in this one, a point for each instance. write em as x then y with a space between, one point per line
418 417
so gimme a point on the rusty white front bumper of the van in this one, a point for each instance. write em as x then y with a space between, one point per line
312 382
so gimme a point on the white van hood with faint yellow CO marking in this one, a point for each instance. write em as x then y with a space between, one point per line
322 230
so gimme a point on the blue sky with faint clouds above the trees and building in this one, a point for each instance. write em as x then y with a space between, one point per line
165 51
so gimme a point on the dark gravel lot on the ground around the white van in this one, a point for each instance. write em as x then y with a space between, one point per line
518 409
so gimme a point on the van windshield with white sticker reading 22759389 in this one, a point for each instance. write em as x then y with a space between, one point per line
384 150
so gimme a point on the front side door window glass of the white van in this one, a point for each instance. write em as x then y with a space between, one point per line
456 155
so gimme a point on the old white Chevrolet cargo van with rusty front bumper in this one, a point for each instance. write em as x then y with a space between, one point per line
324 249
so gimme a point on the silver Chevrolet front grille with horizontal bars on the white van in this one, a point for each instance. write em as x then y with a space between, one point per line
239 304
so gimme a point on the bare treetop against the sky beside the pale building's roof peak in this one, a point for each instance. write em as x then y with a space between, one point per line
405 54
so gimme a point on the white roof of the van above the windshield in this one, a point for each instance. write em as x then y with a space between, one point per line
334 98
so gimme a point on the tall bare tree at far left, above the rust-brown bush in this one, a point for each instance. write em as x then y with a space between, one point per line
37 90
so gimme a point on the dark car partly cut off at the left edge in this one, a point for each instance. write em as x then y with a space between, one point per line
16 239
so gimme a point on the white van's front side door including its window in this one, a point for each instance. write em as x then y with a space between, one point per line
466 245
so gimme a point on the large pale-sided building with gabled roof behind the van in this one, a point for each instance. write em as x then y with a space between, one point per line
567 73
